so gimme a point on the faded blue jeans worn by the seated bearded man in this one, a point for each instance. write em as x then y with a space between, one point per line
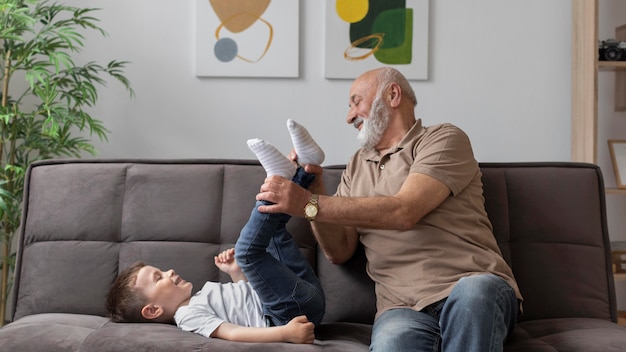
477 317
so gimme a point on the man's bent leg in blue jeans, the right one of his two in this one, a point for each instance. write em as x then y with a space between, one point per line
478 315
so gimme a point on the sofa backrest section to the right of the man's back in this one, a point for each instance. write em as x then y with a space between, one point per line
550 223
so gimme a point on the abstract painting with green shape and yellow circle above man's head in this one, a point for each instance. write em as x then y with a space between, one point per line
365 34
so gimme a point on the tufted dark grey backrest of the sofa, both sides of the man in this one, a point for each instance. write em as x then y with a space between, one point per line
86 220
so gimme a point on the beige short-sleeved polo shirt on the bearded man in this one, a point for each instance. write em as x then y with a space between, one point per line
420 266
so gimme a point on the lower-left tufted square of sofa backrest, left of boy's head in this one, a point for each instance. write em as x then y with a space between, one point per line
76 276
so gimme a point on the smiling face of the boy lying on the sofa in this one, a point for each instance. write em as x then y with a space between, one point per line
163 289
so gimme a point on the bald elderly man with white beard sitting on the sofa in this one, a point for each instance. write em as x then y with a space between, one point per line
412 195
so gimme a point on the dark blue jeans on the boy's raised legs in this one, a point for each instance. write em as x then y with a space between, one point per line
276 268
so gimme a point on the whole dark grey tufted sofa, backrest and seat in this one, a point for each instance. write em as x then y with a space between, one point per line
84 220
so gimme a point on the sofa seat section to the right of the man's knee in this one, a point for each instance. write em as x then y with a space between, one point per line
567 335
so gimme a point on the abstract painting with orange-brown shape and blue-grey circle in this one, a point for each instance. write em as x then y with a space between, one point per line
244 38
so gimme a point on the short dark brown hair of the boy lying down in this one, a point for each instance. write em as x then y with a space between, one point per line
124 301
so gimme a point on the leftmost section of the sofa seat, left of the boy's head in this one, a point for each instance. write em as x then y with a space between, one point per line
49 332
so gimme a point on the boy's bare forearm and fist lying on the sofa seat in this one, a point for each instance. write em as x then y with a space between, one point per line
298 330
